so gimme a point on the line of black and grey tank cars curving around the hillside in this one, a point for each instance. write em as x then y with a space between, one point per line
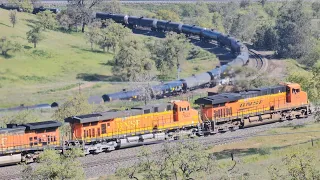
207 79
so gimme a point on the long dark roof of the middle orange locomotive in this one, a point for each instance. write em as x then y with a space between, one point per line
139 110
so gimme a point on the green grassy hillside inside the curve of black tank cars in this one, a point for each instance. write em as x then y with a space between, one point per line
54 69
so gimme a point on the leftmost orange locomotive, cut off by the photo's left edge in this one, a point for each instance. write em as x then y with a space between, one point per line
20 142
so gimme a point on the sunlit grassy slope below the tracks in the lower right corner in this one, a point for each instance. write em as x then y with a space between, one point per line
258 153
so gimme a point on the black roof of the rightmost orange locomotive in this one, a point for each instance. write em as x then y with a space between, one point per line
231 97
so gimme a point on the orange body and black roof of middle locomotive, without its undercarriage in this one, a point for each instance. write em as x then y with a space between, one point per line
138 120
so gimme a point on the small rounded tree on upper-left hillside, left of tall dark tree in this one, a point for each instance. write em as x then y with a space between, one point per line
47 19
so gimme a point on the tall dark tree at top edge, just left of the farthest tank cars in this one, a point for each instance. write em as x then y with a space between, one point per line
82 10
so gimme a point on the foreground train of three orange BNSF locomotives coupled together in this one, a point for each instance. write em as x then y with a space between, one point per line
111 130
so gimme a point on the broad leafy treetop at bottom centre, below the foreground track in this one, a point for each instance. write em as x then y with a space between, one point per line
183 160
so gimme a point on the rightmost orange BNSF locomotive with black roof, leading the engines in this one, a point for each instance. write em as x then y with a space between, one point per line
253 107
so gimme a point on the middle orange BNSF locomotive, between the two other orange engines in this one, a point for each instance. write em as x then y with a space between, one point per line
110 130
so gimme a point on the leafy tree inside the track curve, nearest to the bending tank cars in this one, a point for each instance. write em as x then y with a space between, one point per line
170 52
